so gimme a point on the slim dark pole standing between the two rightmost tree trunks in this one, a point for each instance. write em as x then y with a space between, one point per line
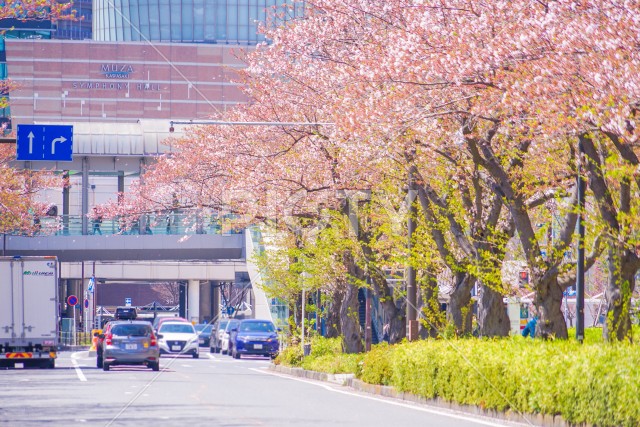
580 262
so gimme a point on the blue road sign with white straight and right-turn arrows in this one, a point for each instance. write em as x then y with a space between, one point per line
45 142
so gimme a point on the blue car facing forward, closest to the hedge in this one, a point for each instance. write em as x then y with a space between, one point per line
255 337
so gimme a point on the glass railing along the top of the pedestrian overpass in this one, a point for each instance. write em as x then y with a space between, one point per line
158 224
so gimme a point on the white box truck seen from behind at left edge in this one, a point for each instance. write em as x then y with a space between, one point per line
28 311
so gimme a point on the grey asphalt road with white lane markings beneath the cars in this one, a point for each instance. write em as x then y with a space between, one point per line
214 390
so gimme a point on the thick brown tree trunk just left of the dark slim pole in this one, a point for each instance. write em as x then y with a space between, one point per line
548 301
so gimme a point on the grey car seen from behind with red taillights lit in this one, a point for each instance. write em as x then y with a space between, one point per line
129 342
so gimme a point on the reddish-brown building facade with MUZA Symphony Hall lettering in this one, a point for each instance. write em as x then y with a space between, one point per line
75 81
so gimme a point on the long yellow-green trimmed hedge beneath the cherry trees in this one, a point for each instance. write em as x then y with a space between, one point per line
591 383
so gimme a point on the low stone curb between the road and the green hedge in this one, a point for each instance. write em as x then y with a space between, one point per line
349 380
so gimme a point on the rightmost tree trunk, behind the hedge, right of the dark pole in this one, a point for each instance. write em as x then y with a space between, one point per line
621 284
